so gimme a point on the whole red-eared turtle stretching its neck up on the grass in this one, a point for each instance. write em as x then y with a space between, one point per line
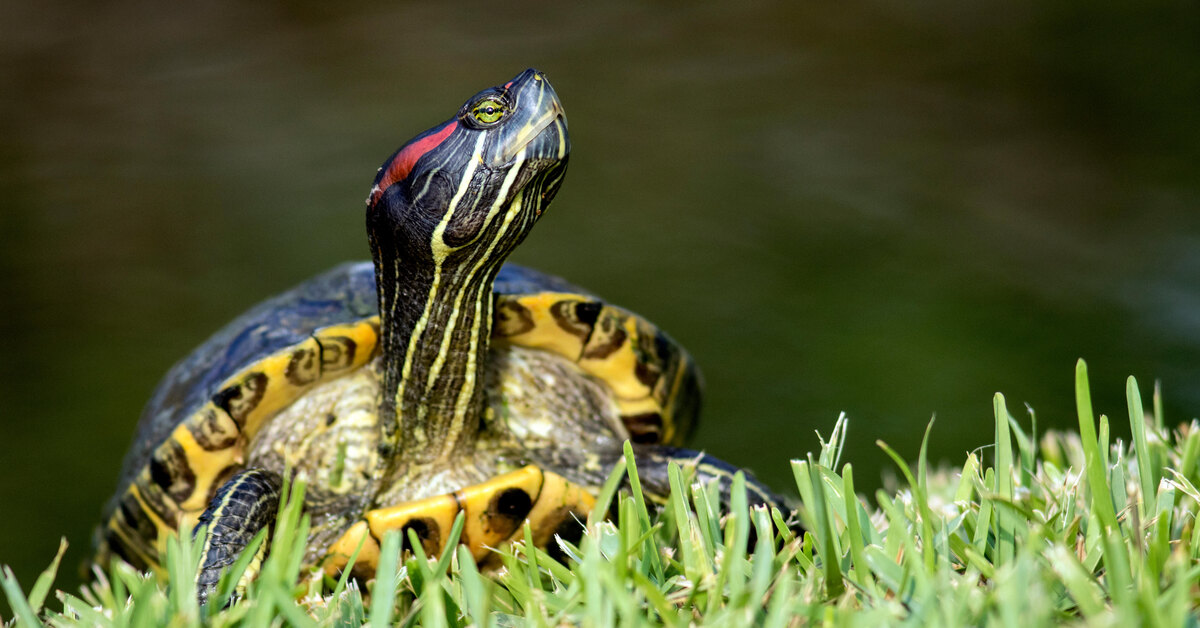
434 380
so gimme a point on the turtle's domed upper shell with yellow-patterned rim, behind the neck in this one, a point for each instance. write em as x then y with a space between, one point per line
333 321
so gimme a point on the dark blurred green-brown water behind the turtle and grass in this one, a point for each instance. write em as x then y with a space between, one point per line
891 210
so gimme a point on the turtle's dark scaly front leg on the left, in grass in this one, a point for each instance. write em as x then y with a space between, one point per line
244 505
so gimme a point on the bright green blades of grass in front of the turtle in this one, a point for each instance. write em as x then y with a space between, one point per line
1045 530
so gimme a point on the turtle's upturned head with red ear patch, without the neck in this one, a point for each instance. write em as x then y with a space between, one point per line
471 188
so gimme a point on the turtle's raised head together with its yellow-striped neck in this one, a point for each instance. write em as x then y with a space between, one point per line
446 212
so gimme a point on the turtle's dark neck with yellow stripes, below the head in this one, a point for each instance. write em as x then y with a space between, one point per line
436 321
